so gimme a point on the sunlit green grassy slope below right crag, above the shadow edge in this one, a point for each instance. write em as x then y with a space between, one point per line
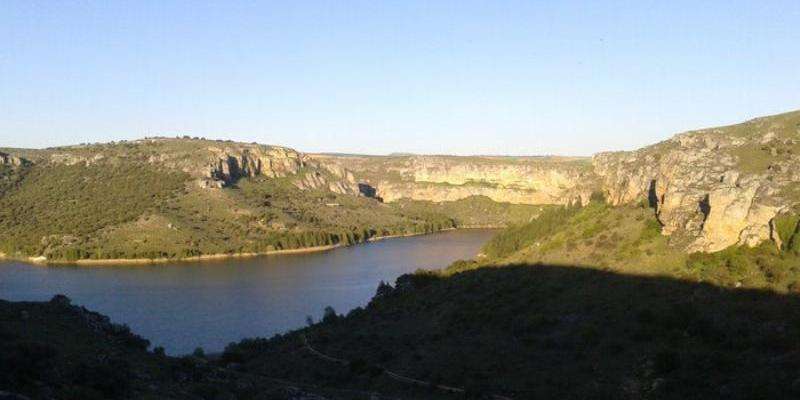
628 240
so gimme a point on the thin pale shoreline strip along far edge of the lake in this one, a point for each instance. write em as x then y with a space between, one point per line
219 256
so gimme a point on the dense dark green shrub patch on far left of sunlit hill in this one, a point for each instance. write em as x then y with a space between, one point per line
56 209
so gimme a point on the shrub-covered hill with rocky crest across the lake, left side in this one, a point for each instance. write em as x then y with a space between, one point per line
177 198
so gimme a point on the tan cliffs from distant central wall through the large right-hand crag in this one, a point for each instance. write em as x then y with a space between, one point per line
709 188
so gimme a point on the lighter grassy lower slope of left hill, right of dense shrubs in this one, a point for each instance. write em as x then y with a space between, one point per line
259 215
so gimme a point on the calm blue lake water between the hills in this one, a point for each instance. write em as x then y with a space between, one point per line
209 304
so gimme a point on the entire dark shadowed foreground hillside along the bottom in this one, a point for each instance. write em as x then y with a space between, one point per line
520 332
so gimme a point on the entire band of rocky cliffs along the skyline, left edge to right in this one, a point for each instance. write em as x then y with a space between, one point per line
709 189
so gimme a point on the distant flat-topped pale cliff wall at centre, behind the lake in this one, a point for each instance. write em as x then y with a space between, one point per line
529 180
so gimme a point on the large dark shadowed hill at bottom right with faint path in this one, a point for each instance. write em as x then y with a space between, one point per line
553 332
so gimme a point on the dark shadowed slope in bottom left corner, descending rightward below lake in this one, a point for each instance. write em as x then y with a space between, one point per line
55 350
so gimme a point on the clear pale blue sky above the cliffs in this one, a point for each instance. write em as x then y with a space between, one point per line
459 77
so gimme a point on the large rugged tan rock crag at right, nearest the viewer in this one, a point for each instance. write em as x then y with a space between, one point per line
712 188
